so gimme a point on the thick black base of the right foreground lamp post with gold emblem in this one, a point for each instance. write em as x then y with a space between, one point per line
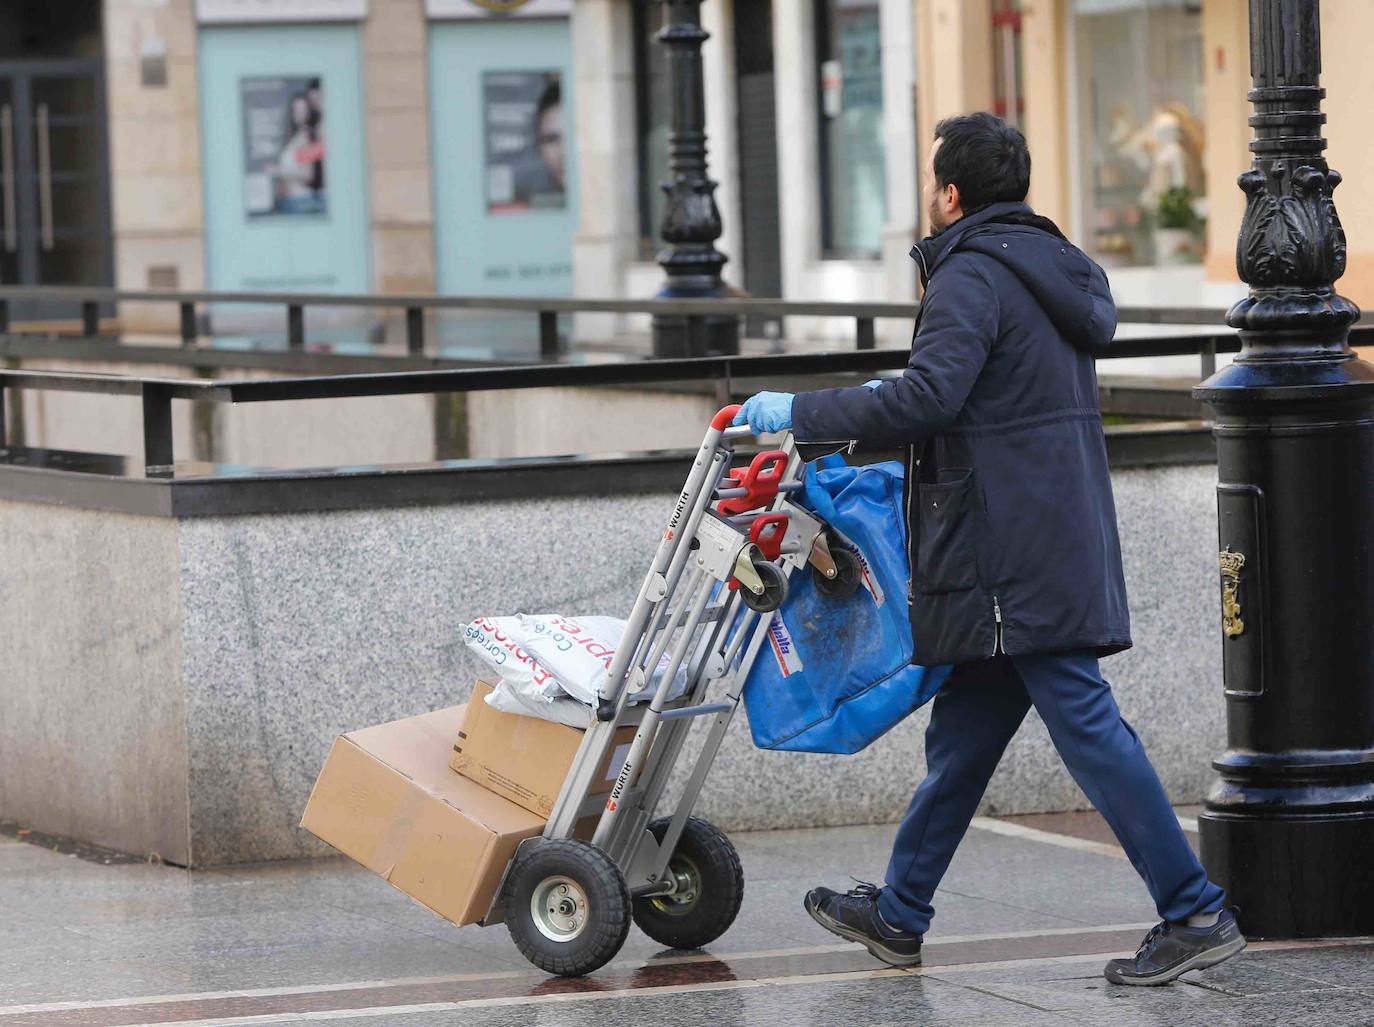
1289 828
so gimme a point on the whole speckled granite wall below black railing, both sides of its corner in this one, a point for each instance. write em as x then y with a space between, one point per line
293 629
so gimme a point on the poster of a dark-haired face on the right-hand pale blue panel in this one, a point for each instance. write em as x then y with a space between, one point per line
523 115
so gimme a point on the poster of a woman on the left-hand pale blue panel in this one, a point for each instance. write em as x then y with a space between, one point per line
284 146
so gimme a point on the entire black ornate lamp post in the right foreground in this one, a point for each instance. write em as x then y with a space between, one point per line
1289 827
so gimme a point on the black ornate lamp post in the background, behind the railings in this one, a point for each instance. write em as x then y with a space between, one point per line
692 221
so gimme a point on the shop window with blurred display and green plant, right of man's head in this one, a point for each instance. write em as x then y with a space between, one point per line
1141 130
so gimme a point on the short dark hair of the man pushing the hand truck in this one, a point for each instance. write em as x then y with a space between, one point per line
986 157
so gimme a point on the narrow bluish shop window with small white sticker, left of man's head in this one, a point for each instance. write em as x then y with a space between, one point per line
854 193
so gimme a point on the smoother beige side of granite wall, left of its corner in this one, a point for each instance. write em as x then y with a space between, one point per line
93 725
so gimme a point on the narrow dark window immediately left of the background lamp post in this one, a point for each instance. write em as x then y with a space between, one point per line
652 104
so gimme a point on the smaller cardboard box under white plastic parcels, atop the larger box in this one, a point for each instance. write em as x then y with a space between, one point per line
523 758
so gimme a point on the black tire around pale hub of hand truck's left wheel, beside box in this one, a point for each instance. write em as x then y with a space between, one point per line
607 909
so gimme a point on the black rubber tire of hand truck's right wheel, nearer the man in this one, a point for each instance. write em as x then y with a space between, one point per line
717 864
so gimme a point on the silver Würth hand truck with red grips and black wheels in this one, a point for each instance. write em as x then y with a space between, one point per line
721 571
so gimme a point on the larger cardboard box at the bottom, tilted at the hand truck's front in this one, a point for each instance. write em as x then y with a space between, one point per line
388 799
